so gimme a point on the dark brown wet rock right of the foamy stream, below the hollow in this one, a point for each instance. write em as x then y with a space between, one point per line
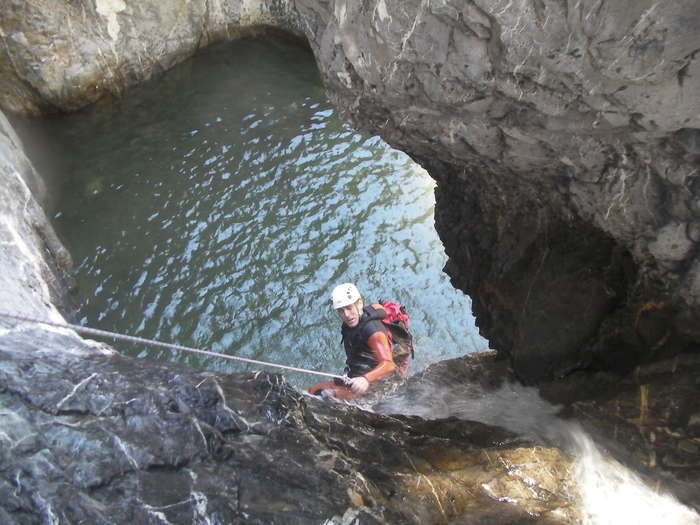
649 419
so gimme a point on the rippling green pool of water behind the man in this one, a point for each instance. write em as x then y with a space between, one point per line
218 205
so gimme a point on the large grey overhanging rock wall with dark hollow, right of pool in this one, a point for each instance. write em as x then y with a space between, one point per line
565 139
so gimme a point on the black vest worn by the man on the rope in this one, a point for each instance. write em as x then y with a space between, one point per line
360 358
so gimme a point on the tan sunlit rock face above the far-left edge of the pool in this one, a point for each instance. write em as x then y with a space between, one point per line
59 55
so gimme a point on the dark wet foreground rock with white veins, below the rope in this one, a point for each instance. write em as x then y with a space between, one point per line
91 436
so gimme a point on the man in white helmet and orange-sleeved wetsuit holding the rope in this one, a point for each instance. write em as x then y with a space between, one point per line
368 346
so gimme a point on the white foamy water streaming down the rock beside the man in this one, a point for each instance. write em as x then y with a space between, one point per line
609 492
